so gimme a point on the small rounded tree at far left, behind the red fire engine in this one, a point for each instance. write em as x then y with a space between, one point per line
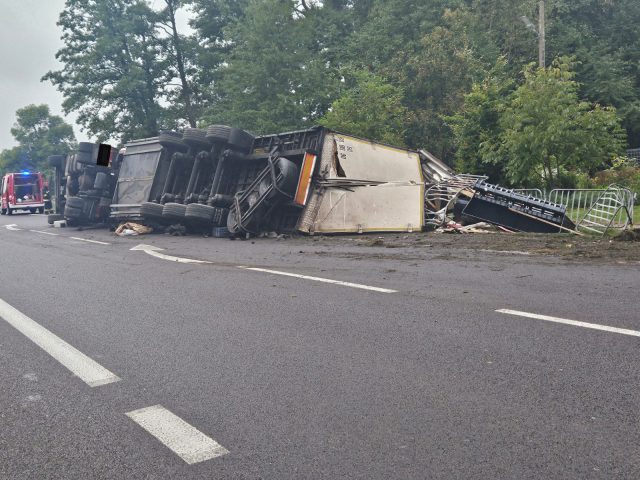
39 134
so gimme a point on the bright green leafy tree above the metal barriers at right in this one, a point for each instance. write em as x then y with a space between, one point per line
547 132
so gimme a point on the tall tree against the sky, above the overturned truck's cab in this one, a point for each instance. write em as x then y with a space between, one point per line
115 68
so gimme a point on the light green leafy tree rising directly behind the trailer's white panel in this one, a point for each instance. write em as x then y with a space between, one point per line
370 108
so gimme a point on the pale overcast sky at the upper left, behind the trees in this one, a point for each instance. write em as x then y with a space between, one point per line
29 40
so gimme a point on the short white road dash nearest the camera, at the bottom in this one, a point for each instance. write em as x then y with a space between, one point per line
186 441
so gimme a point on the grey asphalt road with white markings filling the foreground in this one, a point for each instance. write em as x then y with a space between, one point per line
290 377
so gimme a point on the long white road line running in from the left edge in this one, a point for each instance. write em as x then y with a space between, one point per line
89 371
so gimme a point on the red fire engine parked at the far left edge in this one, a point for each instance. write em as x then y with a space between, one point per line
22 191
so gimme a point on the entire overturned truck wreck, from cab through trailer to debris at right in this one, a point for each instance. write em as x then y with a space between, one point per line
224 181
